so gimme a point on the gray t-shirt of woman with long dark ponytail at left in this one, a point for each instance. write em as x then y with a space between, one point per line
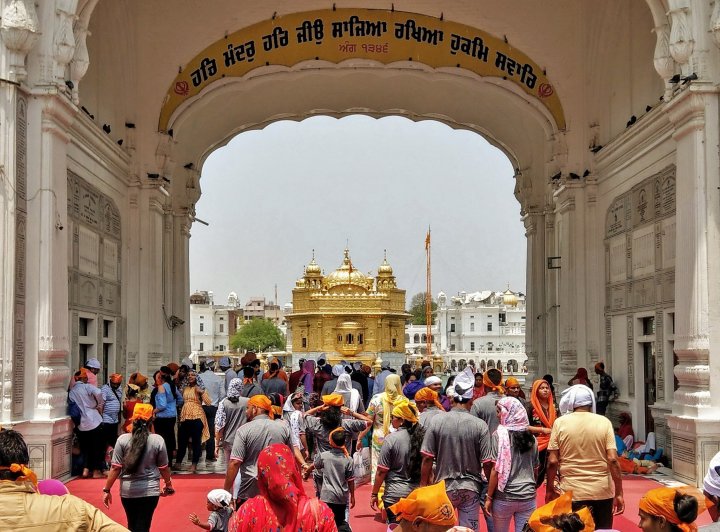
145 482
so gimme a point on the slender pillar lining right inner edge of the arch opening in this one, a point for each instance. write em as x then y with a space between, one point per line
536 318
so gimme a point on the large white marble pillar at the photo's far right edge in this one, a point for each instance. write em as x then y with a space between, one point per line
695 419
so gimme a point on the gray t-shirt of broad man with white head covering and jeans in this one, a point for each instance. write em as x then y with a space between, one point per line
460 443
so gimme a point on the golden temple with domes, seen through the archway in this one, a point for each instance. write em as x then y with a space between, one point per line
348 314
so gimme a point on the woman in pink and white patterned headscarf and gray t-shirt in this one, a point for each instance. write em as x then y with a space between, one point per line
511 489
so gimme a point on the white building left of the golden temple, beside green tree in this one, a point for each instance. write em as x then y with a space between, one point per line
211 326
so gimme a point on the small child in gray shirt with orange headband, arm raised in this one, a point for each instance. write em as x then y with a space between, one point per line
337 473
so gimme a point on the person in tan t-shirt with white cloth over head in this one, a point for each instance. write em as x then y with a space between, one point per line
582 450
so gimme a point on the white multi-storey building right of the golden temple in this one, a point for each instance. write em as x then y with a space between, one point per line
483 329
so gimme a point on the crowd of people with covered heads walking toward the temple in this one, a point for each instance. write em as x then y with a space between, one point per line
440 458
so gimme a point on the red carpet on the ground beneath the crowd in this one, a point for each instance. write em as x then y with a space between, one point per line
172 512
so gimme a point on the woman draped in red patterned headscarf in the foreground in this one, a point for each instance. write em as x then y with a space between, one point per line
282 505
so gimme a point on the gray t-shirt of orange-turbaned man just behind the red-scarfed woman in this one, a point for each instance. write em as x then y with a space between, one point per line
250 439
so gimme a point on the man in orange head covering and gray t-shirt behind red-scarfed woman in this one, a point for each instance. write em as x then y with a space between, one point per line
259 432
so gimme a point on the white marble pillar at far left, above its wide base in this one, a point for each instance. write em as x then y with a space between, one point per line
47 345
